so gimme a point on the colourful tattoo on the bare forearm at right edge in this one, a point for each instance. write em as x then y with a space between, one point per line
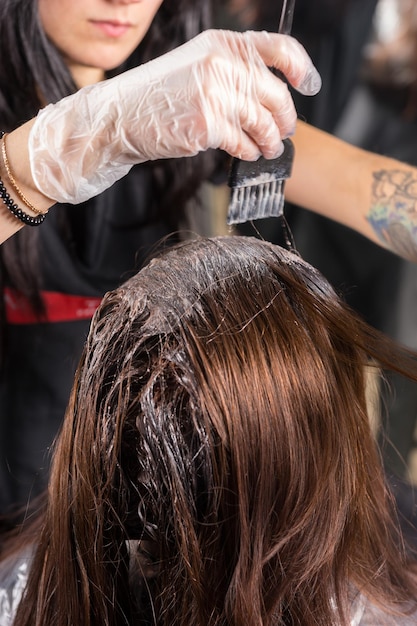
393 213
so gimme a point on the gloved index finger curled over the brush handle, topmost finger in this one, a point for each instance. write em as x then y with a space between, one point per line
287 55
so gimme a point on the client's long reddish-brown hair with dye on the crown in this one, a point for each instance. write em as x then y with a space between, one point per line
216 465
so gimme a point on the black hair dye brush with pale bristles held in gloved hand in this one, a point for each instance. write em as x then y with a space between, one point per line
257 187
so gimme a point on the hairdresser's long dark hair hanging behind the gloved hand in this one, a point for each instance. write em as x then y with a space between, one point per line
33 73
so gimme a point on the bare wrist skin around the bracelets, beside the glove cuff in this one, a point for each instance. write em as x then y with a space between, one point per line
18 157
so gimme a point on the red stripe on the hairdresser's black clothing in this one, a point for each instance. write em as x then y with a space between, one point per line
59 307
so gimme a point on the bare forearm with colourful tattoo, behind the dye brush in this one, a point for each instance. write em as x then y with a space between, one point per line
375 195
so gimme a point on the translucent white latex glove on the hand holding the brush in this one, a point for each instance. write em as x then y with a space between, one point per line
215 91
